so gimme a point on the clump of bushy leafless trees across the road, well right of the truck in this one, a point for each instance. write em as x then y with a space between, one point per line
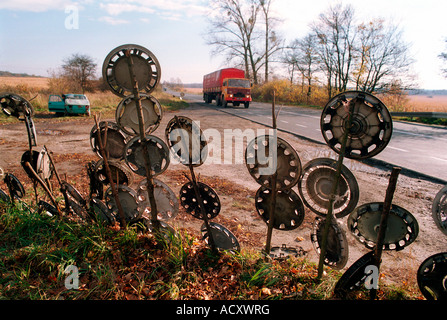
370 56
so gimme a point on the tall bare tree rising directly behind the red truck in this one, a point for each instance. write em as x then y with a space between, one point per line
232 33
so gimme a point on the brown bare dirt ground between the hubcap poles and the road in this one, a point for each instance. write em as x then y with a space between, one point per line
69 142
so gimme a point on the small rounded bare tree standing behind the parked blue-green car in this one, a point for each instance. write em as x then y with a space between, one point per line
79 69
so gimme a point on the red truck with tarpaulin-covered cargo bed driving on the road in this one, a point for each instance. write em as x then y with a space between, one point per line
227 86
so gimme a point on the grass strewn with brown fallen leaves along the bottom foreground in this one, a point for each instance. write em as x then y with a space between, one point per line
134 264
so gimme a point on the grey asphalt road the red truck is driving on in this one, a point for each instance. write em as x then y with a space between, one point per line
420 150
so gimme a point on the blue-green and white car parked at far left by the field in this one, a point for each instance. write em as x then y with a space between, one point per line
69 104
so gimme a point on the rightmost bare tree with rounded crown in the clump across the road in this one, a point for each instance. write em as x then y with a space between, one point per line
382 57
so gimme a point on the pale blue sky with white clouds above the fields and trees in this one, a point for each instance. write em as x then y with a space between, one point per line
36 36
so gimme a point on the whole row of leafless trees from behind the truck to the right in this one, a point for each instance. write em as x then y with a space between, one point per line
337 53
